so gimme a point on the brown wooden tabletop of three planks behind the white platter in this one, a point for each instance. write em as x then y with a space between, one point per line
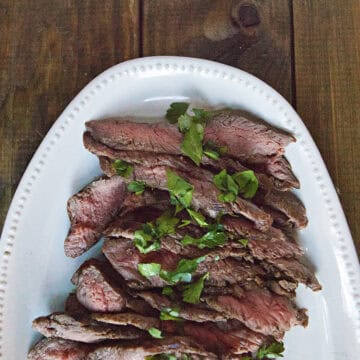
309 50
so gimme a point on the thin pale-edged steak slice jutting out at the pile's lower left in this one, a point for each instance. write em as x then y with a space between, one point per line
83 330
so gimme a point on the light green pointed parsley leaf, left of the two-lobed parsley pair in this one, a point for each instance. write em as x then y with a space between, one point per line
180 191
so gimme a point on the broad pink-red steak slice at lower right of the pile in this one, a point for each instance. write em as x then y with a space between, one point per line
260 310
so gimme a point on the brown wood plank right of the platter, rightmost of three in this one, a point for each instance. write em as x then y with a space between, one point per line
327 64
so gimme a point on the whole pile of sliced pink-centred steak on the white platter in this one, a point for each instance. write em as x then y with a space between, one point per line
227 293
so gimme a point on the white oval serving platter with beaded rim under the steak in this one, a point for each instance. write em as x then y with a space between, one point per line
35 274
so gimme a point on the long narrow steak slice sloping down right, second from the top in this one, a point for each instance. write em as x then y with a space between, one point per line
205 195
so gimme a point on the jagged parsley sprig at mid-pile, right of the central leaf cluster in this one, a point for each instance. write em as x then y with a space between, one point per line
214 237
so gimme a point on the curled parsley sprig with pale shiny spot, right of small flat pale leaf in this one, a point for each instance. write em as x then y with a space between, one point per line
183 271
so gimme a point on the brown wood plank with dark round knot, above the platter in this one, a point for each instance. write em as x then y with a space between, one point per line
252 35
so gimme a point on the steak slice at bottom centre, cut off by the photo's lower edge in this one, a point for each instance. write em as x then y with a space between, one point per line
172 345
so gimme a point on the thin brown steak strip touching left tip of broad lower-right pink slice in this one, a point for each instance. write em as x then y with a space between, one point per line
195 313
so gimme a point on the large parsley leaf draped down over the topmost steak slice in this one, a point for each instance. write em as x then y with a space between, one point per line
192 143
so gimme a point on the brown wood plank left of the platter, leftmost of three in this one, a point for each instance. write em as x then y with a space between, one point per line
49 51
